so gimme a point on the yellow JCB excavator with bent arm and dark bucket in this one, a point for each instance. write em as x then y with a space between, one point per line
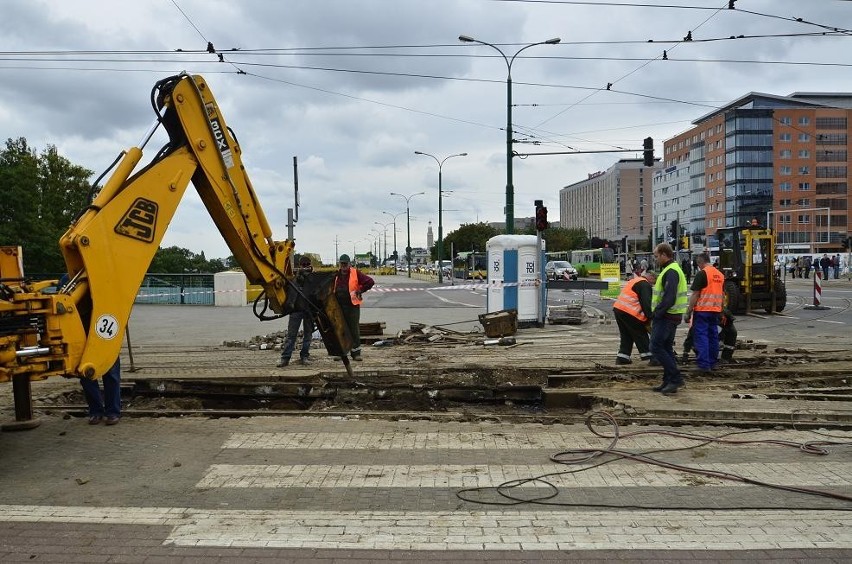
77 331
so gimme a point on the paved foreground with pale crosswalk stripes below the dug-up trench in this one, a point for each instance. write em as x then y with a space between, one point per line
312 489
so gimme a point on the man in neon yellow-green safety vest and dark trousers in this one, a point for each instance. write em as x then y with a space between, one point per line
668 305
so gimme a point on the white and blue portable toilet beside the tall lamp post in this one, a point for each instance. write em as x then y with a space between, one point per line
515 276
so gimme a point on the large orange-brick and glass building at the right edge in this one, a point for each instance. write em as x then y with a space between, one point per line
782 160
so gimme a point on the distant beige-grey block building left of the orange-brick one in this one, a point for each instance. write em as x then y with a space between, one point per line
611 204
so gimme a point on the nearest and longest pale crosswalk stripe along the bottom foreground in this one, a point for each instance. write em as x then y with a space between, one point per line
505 529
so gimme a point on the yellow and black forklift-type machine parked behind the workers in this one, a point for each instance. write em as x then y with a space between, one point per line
747 259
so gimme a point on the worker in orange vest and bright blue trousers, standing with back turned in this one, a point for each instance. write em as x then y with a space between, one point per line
706 303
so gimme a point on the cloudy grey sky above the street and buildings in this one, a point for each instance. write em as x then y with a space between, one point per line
354 87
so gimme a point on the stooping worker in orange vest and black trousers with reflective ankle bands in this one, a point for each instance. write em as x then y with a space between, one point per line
632 311
